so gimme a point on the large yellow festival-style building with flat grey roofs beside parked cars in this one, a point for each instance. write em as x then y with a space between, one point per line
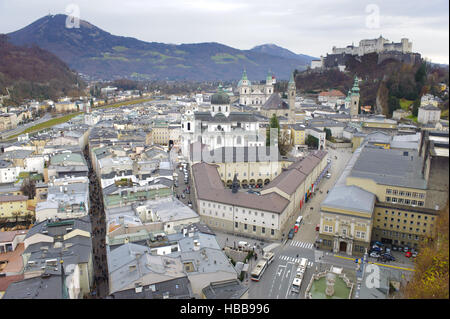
401 214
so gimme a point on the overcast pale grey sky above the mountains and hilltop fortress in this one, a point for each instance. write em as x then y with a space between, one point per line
308 27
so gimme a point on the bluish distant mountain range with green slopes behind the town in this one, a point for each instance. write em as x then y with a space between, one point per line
94 52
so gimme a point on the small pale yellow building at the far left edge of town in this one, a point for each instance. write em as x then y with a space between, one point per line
15 206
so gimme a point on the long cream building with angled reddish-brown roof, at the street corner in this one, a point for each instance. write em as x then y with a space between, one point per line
262 216
